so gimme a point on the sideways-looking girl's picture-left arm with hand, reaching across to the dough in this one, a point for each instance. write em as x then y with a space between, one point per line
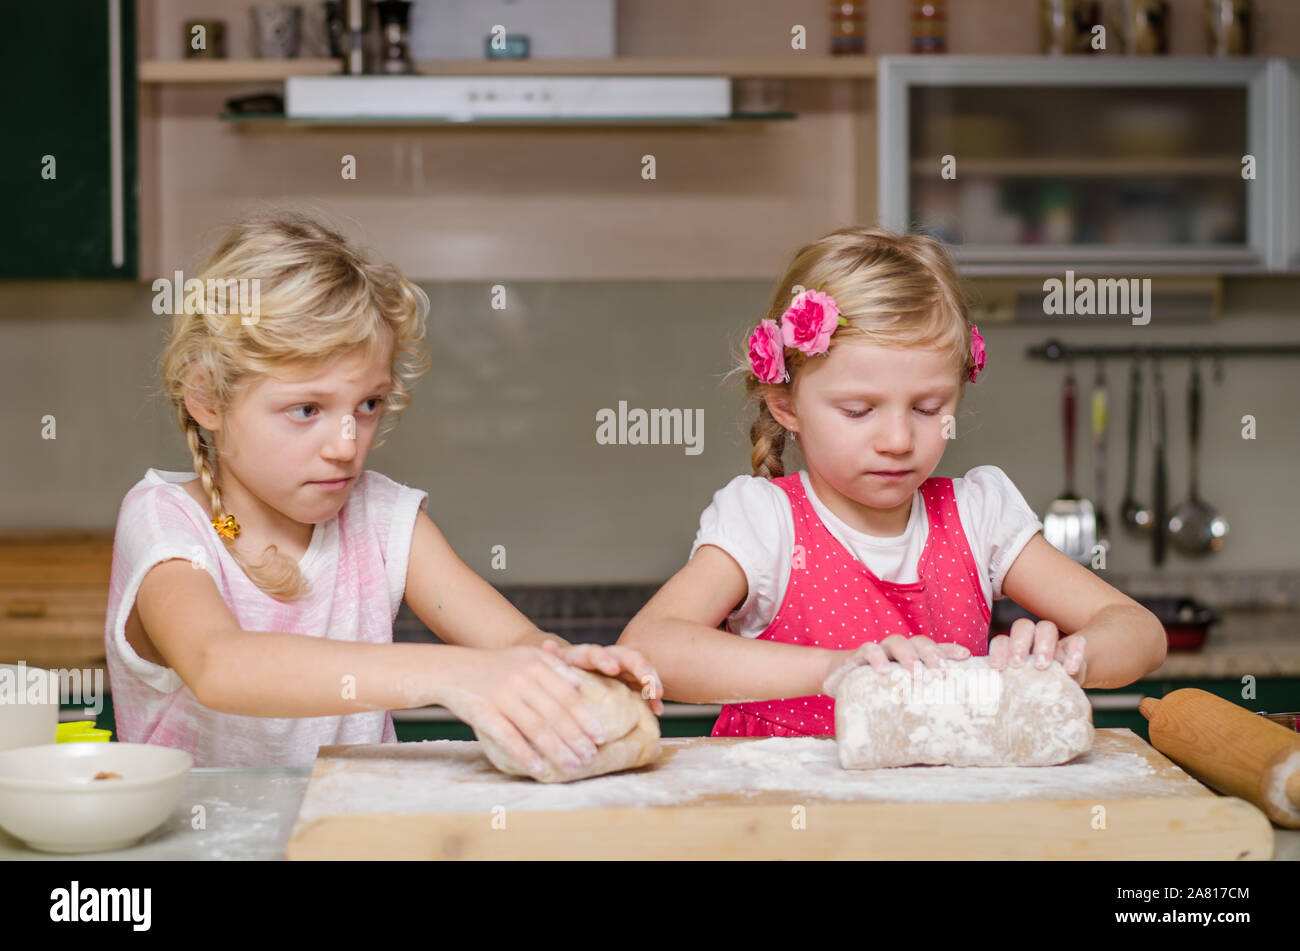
522 697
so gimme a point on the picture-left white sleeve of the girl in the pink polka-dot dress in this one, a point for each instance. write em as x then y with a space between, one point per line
751 520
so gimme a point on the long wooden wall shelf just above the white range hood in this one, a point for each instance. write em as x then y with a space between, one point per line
795 67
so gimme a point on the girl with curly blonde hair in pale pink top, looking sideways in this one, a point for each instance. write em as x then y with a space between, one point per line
253 600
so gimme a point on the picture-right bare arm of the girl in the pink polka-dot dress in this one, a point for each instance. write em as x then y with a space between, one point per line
1124 641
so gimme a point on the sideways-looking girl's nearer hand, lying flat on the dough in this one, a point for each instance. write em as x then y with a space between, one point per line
527 701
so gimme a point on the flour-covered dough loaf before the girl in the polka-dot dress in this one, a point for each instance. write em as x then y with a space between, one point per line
976 716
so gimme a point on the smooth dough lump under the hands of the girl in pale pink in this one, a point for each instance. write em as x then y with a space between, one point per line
631 733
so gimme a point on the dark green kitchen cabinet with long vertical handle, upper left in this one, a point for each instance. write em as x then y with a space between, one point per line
70 170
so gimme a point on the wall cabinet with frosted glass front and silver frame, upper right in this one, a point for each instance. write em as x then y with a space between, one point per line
1126 164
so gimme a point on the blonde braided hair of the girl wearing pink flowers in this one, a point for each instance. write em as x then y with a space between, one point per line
896 290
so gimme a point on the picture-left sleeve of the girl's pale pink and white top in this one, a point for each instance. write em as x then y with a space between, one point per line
153 528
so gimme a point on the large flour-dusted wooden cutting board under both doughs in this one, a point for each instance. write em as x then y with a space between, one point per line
770 798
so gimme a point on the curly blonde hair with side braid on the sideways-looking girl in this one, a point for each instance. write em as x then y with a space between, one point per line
320 299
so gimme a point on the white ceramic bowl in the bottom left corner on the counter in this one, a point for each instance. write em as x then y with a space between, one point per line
51 801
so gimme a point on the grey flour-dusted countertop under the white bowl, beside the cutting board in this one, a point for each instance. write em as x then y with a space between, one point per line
250 814
